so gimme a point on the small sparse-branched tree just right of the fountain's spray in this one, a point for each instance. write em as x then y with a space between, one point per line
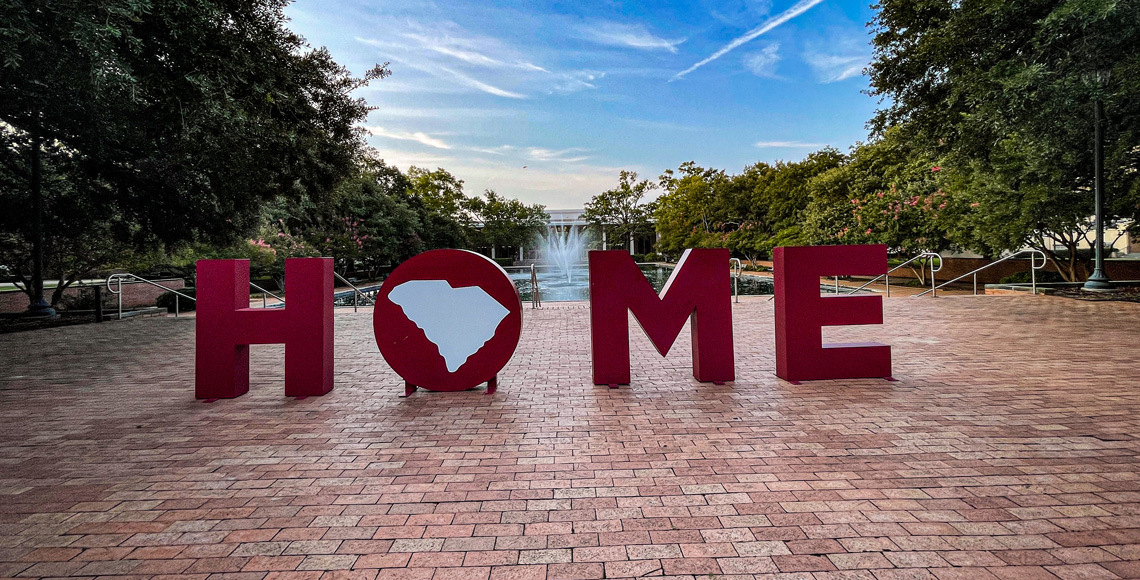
621 213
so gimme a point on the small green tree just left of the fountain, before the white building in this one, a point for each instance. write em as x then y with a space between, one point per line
499 222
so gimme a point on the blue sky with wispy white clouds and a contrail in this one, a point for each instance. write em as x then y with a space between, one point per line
549 101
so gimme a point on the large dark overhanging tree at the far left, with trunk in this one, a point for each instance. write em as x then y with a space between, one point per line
193 115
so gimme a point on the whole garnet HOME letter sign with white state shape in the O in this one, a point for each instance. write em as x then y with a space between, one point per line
451 320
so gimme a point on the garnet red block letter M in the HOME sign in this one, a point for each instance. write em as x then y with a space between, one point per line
698 289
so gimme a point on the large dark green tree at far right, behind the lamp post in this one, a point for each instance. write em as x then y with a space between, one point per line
1004 93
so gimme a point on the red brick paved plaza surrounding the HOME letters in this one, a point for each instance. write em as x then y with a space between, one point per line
1007 450
